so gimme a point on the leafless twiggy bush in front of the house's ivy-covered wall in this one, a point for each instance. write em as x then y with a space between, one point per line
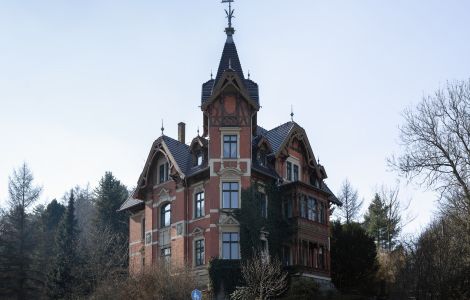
264 279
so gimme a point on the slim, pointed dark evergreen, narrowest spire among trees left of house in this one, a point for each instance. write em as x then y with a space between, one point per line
63 274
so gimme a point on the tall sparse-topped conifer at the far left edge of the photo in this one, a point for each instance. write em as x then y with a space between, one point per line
18 279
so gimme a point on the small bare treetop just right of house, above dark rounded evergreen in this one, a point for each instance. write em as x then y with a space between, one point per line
351 204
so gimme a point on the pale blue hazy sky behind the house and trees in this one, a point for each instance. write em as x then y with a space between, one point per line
84 85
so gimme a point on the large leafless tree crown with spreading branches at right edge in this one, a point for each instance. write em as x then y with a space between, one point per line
436 141
